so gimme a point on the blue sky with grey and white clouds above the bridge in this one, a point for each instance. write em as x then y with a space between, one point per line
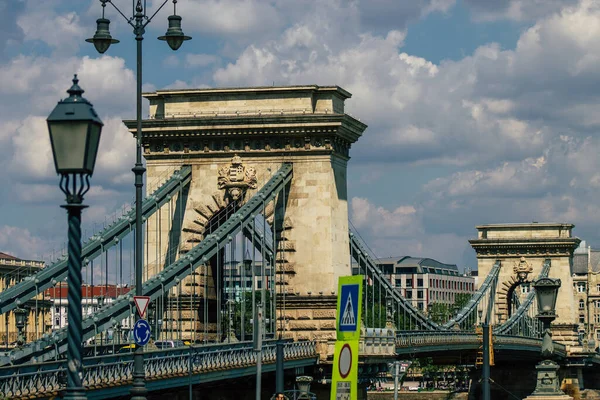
479 111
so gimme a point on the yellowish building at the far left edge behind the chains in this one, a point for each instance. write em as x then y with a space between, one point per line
12 271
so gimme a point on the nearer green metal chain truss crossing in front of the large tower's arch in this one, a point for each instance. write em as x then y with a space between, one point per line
49 346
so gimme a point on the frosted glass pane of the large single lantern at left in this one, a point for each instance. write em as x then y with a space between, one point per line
68 145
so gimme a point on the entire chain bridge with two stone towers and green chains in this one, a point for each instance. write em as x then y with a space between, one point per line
247 204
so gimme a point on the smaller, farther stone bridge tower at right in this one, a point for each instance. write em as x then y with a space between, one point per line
524 248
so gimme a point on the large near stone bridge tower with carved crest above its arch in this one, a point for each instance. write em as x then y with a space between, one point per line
251 132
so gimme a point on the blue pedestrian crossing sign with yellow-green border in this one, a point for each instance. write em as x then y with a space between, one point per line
349 307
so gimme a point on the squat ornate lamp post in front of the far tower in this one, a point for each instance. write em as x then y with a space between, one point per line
546 291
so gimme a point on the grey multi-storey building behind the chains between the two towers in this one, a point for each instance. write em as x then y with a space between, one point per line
424 280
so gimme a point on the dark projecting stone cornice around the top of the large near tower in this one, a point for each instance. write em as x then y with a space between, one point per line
209 137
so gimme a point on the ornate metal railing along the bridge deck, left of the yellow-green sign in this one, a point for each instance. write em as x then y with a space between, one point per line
48 379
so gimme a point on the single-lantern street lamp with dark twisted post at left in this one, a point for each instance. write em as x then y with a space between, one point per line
75 131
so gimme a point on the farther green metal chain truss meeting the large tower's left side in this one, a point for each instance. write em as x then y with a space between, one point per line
31 286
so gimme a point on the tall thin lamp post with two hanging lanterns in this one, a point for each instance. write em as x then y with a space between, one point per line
102 41
